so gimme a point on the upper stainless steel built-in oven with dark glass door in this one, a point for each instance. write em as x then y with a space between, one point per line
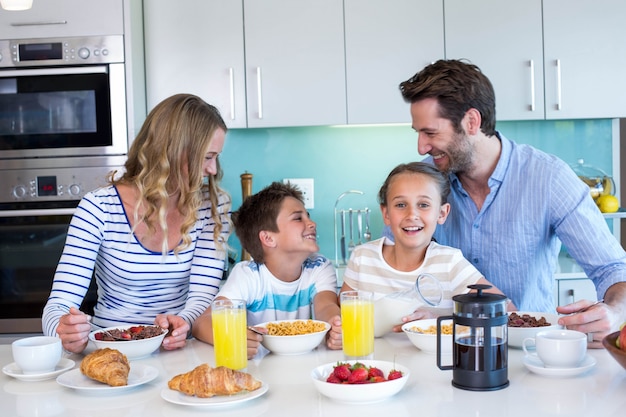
62 98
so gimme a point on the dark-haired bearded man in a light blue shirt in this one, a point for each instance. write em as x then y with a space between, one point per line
513 205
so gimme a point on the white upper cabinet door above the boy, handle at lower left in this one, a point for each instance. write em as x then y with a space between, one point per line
295 62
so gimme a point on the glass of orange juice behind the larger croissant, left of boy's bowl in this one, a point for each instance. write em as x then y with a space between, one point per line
229 333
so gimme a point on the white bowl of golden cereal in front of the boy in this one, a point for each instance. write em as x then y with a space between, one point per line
293 337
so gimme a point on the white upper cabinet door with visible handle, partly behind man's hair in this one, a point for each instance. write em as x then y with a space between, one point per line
504 39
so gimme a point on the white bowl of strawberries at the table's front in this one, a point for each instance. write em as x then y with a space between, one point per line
360 382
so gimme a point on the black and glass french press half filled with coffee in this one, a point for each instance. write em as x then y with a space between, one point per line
479 333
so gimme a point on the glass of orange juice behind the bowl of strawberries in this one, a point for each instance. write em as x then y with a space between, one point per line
357 324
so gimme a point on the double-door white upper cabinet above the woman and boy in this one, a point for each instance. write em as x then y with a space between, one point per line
290 73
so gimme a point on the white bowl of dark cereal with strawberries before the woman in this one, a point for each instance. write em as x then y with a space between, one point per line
136 341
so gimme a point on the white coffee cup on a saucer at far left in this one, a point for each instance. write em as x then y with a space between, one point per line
38 354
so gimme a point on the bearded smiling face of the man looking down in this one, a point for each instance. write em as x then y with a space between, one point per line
452 151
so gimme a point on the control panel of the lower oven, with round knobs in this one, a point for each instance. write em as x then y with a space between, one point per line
52 184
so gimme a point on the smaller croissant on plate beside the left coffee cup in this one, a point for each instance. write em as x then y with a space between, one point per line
109 366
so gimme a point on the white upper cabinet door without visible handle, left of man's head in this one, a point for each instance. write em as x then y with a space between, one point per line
387 42
